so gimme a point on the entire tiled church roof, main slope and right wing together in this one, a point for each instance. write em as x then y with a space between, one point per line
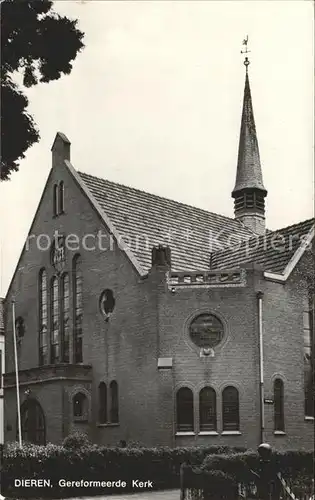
145 220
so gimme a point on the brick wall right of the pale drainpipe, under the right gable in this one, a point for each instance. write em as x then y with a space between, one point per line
283 352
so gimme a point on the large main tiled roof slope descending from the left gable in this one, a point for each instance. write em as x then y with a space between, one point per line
148 220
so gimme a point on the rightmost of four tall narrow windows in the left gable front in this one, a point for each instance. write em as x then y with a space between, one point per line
78 311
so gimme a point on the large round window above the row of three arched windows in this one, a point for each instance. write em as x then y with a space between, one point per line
206 330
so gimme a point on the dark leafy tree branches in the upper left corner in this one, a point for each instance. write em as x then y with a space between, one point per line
40 45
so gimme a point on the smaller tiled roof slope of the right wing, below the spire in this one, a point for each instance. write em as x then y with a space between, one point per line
273 250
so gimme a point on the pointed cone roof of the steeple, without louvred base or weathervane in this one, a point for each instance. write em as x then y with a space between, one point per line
249 174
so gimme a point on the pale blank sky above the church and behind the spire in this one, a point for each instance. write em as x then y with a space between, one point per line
154 102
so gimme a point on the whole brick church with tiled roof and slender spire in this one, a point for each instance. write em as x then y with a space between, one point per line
140 319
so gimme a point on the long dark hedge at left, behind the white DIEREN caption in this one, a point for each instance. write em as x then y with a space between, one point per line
78 459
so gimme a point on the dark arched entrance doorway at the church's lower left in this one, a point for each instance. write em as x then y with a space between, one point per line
33 422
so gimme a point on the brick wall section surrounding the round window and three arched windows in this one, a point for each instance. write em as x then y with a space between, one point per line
235 361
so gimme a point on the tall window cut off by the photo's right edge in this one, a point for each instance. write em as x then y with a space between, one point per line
308 329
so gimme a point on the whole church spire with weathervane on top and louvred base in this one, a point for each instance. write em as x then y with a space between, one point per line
249 192
